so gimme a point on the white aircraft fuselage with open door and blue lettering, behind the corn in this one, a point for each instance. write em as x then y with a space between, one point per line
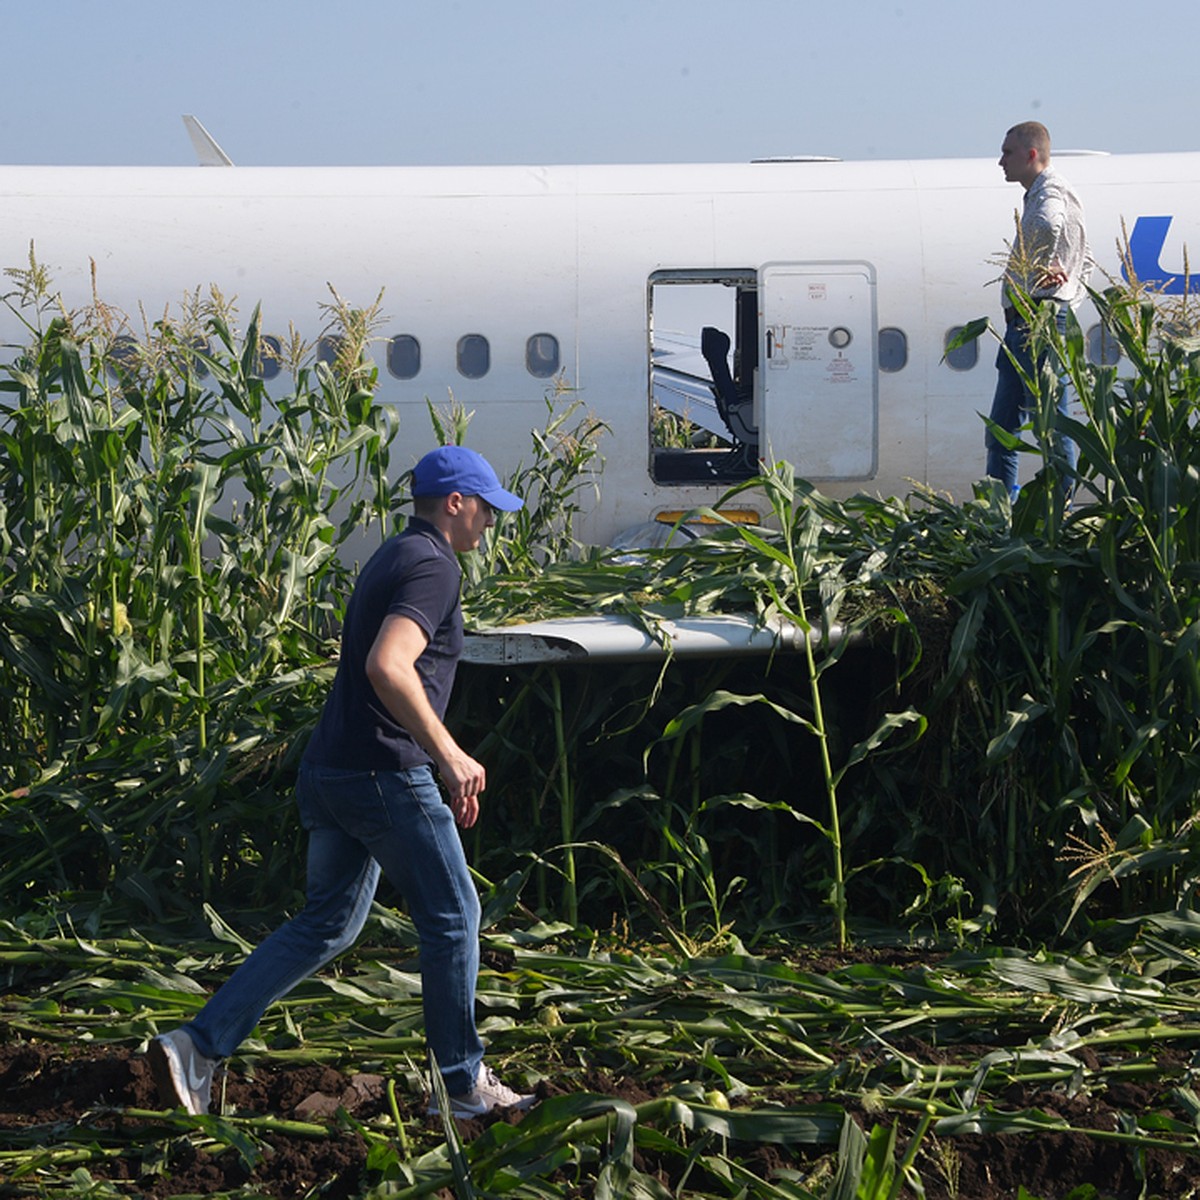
826 255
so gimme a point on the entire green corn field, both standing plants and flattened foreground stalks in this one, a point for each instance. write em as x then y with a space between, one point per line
993 769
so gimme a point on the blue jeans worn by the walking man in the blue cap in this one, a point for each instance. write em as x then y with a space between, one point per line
361 823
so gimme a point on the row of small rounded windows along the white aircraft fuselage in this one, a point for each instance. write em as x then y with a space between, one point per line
473 353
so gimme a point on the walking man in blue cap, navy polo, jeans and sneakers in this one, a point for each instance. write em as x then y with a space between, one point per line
370 802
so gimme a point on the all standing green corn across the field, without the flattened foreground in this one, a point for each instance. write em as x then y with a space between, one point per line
991 721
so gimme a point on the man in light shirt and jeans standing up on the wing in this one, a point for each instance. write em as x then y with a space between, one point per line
1049 263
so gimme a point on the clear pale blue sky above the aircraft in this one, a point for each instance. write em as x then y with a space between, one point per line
430 82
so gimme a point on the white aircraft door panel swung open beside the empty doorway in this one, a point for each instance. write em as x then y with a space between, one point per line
819 403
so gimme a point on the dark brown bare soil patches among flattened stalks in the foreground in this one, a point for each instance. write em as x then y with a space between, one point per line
50 1091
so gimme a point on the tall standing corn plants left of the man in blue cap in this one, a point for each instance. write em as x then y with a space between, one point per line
170 581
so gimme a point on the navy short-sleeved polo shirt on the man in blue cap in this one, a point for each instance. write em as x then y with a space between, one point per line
413 575
